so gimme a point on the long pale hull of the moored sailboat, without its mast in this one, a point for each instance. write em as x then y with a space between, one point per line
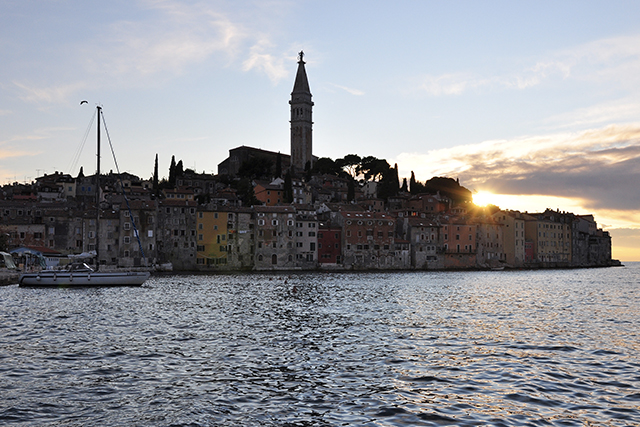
65 279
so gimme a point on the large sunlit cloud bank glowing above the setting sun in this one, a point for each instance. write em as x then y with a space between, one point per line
601 167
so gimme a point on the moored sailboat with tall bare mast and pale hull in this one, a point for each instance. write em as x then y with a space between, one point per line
81 274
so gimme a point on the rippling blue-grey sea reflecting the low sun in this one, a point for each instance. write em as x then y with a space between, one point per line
494 348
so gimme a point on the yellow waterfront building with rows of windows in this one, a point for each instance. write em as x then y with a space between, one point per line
212 238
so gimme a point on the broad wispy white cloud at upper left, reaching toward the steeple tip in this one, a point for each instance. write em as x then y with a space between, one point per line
164 39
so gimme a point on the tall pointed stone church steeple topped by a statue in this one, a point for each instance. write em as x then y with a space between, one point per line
301 119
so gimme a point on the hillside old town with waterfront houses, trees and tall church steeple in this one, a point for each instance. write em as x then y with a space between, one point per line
265 210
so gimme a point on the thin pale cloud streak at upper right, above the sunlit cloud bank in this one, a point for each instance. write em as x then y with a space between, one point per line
613 59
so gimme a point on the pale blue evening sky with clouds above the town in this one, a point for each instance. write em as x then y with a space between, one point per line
531 104
